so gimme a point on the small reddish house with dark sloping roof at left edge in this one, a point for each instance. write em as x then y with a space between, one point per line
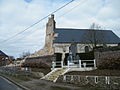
4 59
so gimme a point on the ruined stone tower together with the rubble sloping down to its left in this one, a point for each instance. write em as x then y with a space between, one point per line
48 47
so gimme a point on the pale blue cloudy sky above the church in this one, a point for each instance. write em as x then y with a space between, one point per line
17 15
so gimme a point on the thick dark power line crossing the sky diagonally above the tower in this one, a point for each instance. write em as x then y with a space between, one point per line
37 22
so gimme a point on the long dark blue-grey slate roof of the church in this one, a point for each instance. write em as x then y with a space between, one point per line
66 35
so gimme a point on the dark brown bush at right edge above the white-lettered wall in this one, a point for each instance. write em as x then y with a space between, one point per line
110 63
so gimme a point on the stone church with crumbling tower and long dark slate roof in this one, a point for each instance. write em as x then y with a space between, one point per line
70 43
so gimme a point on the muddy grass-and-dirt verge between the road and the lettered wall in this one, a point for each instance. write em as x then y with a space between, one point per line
38 84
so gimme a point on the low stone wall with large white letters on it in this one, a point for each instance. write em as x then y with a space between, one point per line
105 82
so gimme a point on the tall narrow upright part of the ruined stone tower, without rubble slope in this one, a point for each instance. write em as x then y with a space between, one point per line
50 26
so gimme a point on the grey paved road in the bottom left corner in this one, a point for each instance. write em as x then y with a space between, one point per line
7 85
